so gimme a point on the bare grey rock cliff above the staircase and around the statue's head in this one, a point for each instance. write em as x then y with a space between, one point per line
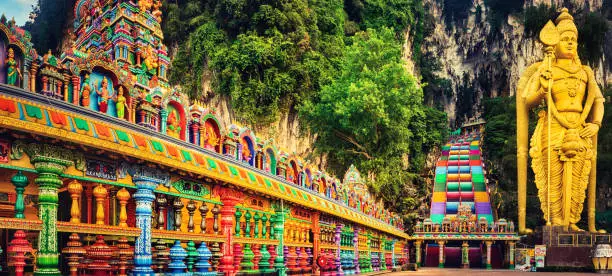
490 61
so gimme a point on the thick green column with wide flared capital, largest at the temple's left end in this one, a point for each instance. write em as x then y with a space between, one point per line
50 162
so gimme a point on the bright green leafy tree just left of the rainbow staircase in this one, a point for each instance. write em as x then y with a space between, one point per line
372 116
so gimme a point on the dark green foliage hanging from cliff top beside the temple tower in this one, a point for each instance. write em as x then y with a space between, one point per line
266 55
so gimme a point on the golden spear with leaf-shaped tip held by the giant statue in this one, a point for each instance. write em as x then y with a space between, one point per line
549 36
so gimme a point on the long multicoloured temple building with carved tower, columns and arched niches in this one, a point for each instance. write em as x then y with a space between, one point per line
106 169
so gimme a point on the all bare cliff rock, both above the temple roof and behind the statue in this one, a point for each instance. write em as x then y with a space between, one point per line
471 54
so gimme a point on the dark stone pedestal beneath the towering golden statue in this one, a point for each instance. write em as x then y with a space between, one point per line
570 248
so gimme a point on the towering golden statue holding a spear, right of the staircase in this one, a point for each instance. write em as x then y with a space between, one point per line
569 124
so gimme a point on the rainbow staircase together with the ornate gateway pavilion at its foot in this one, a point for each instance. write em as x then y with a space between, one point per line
461 230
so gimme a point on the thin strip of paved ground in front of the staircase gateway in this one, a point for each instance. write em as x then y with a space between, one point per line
476 272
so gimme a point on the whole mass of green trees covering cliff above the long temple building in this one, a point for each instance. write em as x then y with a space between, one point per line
337 62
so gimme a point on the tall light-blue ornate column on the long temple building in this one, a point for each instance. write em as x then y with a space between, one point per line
142 252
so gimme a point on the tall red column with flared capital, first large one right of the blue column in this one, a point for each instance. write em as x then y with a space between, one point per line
230 198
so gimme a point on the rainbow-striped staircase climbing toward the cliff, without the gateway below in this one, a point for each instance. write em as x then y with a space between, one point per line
460 180
